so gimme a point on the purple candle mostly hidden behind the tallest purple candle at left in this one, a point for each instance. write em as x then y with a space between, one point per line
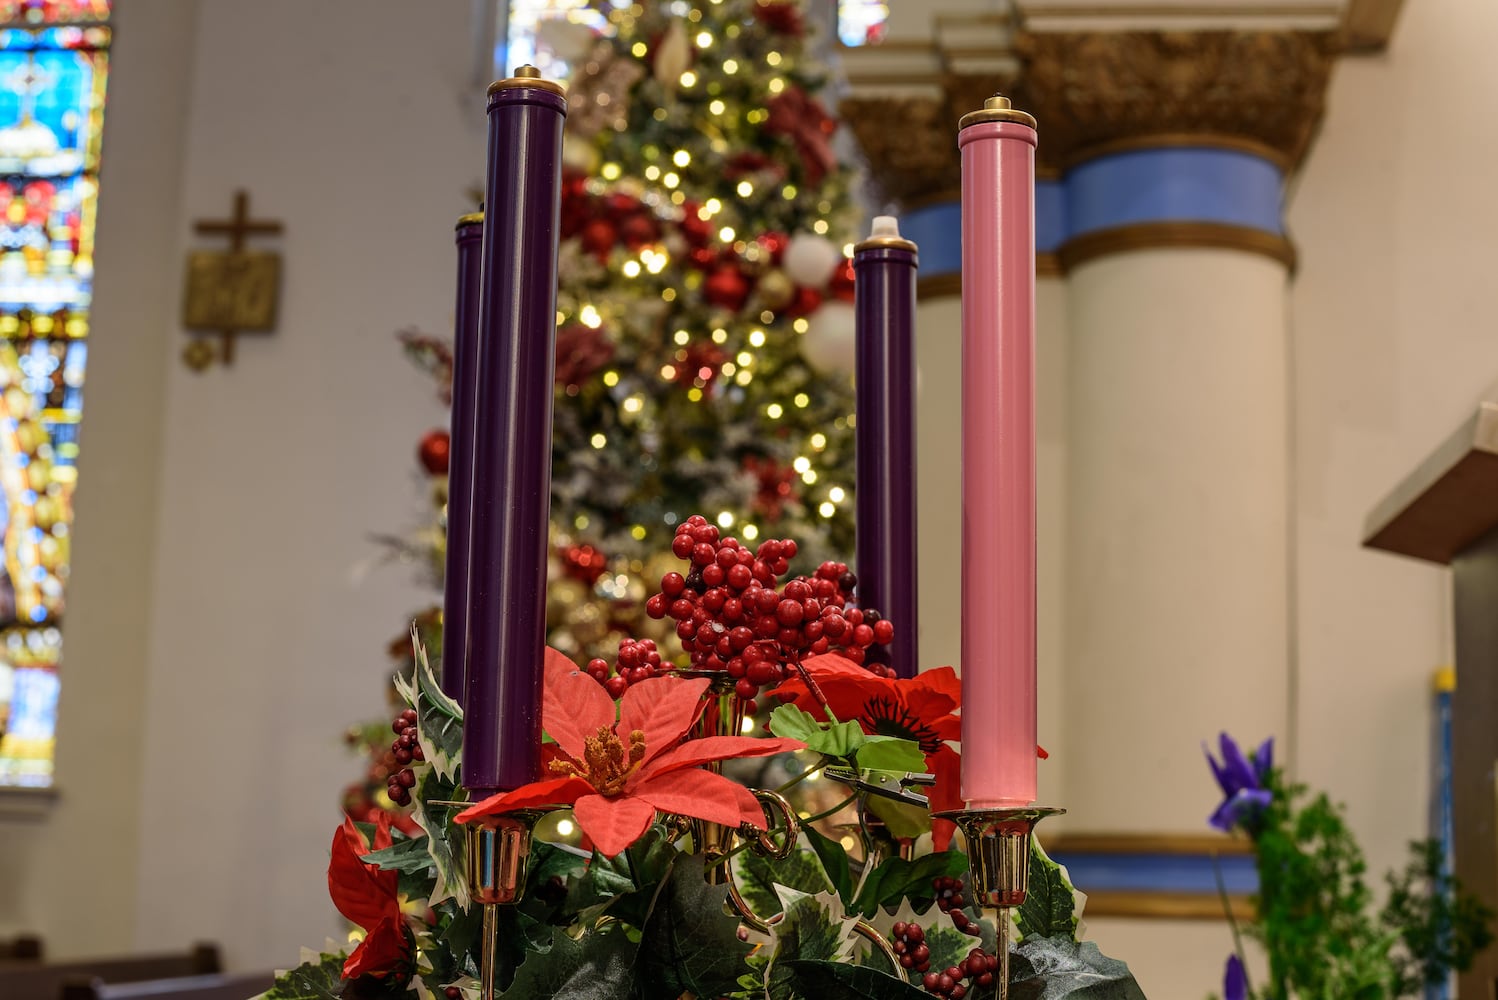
461 466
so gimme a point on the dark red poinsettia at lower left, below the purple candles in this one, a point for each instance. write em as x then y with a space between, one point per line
368 896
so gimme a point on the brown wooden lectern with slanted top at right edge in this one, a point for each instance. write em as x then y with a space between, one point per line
1448 513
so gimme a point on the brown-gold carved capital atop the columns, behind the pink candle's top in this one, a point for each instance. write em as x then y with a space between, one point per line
1103 92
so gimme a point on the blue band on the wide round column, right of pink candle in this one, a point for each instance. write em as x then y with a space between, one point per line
1175 185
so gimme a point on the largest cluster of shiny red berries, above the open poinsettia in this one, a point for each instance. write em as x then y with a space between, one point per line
730 616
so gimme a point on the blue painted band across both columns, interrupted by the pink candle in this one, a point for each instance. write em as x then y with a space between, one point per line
1142 186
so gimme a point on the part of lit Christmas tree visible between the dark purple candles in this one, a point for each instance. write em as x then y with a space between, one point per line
705 312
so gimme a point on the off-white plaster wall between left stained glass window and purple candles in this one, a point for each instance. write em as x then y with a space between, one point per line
351 124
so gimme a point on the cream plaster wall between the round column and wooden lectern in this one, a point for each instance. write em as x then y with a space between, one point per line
1394 342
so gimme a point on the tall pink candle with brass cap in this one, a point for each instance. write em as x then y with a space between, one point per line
998 456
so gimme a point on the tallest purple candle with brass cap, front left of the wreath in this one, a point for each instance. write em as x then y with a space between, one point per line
513 435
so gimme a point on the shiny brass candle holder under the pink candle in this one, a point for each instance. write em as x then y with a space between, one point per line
998 848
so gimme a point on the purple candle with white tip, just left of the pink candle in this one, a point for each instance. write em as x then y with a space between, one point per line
885 369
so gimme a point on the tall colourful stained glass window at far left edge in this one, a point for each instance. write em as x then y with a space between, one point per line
53 68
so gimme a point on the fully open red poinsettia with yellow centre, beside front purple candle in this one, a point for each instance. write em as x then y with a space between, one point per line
618 773
